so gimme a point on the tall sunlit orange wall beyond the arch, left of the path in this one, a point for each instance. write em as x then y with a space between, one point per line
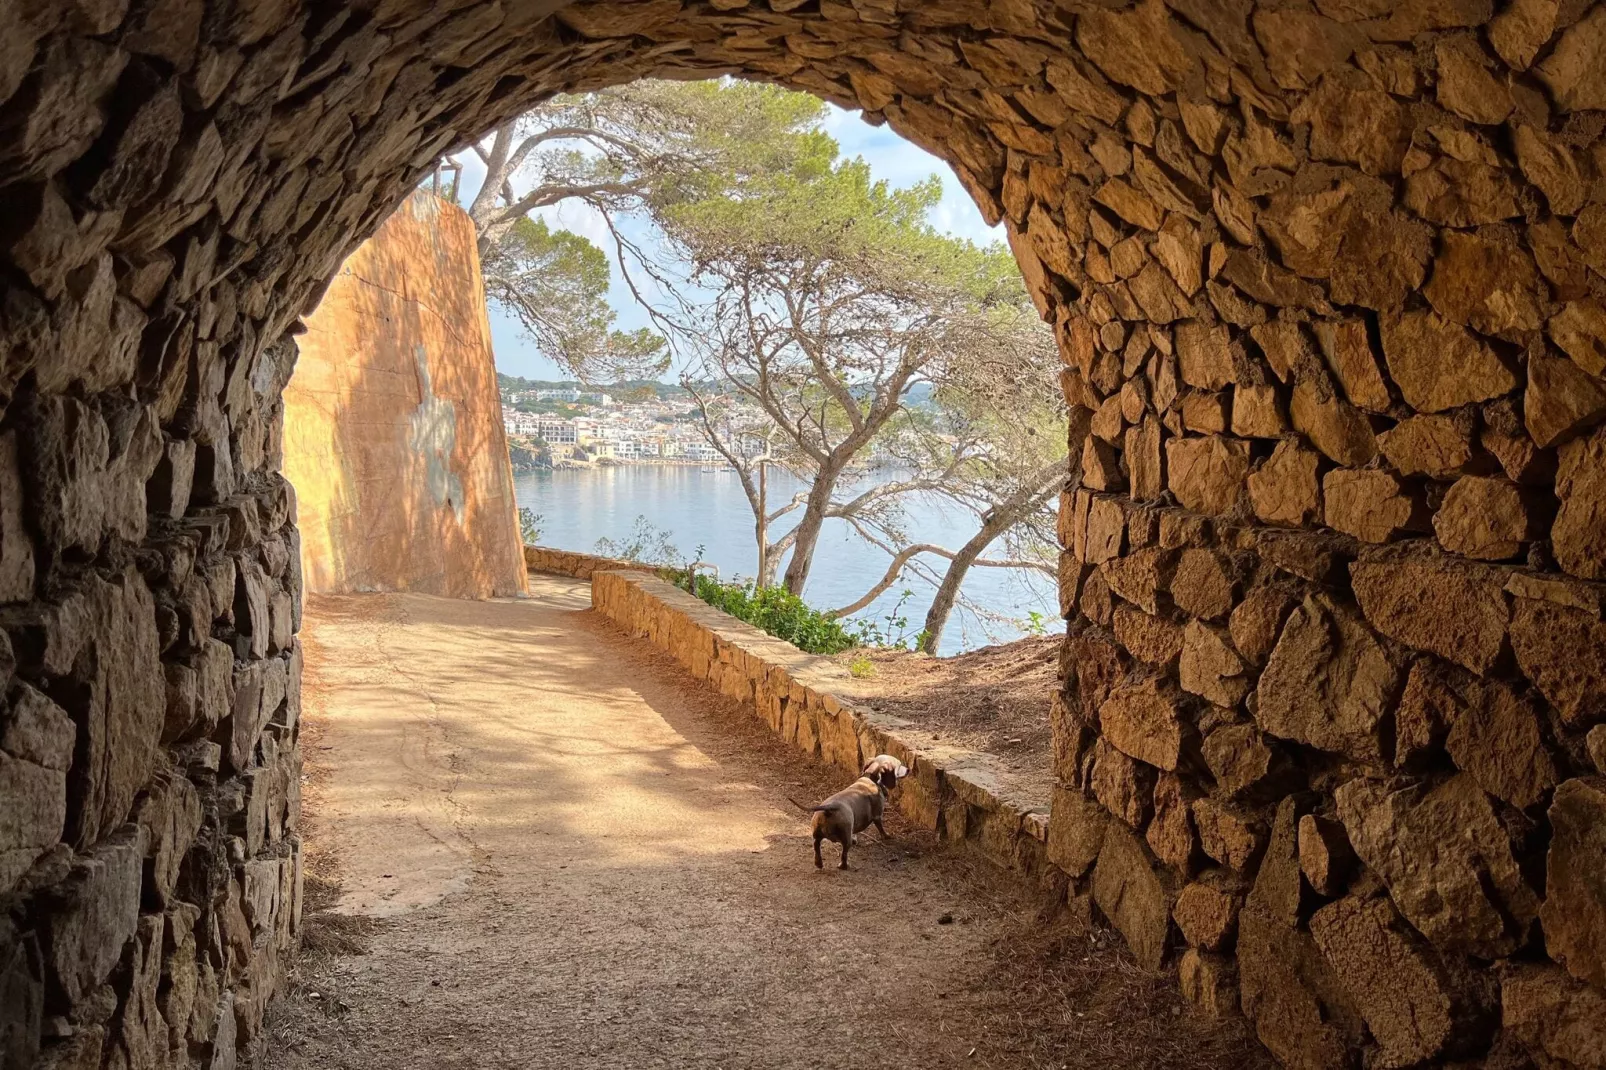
393 422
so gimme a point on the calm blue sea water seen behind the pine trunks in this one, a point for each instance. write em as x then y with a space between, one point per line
709 510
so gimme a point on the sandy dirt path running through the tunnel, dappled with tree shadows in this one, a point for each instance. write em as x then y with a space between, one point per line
577 857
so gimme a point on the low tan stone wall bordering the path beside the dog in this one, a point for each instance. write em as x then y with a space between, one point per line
812 704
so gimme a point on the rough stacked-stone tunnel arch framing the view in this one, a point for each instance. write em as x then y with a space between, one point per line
1331 285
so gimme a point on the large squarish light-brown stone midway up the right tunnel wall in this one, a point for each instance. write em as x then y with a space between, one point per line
1329 684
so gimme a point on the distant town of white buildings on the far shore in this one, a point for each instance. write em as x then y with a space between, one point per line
568 425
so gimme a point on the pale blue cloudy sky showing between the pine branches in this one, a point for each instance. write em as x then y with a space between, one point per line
891 158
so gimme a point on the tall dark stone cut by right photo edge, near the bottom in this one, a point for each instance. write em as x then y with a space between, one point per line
1575 912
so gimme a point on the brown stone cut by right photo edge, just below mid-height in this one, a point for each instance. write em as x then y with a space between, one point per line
1563 651
